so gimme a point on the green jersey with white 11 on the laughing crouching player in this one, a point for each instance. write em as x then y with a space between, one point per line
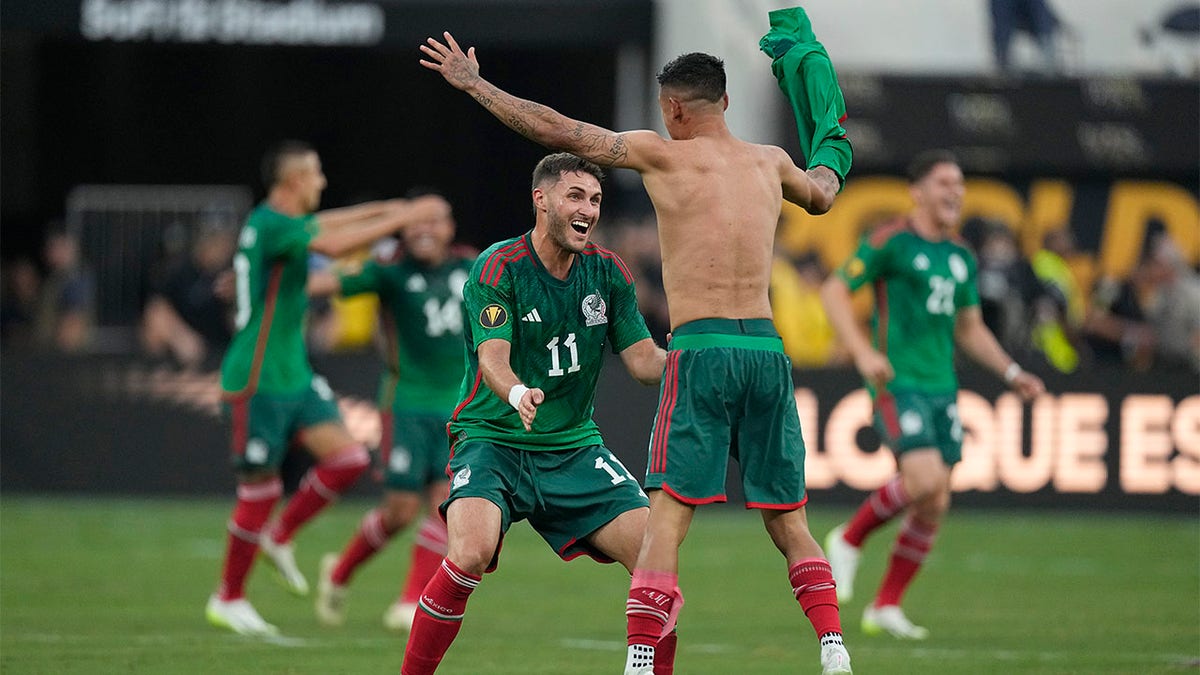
559 331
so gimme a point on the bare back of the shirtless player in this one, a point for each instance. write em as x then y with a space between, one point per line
718 202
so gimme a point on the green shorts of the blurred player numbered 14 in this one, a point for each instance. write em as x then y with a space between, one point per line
415 449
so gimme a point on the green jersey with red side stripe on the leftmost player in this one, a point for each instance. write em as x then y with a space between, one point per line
272 270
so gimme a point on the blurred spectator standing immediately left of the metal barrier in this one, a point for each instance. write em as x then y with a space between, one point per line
67 306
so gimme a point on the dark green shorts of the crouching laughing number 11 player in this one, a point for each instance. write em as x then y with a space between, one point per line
566 495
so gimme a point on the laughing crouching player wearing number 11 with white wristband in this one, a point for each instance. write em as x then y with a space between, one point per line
542 309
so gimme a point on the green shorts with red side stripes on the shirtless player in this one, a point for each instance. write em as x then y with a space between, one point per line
728 392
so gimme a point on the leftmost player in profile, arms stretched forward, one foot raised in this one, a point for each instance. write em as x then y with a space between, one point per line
271 392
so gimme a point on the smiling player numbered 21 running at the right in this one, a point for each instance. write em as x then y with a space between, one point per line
926 302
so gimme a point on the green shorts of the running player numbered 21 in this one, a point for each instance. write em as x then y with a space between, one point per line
908 421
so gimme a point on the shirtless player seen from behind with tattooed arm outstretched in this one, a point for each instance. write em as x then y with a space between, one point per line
728 390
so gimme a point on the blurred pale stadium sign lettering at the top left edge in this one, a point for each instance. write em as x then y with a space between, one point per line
233 22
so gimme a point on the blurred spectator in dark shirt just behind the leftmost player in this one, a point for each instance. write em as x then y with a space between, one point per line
187 318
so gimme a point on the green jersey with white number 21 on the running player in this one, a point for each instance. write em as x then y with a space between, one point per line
920 288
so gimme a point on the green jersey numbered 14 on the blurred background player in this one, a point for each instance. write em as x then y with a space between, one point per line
423 322
